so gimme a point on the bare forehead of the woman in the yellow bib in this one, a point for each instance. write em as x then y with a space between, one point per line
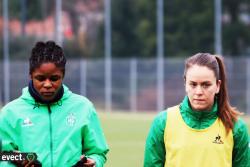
200 73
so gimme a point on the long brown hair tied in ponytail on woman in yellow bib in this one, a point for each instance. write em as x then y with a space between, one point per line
226 113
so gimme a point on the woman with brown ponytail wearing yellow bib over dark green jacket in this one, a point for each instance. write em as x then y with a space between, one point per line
204 130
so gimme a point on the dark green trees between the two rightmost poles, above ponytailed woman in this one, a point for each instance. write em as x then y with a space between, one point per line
189 27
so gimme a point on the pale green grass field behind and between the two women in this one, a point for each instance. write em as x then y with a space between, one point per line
126 134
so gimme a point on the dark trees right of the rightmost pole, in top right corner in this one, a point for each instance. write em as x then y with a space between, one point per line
236 33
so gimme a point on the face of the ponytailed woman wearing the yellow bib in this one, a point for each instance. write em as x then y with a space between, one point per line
201 86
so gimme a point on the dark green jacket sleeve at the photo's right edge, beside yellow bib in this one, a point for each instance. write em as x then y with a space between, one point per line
241 149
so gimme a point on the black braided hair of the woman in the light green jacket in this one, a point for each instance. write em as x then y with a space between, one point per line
47 52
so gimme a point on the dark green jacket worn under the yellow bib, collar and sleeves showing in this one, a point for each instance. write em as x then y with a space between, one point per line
155 148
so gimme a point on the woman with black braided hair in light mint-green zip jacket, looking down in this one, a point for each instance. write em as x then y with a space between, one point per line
48 119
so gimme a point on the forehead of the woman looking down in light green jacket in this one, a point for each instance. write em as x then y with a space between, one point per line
47 69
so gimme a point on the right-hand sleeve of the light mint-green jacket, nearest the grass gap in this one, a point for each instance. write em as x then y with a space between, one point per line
94 143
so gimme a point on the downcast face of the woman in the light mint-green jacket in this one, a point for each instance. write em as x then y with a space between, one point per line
47 79
